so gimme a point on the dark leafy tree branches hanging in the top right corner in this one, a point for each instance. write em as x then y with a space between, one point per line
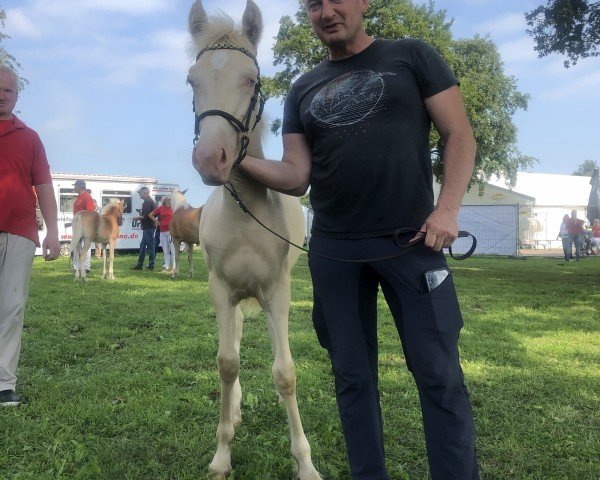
569 27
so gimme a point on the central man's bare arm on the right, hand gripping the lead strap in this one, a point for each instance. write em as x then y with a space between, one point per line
447 112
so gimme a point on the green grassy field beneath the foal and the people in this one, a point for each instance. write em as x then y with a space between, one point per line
121 381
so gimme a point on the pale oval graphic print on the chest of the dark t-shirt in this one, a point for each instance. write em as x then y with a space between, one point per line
348 99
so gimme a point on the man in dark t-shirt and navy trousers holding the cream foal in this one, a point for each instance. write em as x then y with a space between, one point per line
356 129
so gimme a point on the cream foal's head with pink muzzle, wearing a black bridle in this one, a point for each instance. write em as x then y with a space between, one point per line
225 79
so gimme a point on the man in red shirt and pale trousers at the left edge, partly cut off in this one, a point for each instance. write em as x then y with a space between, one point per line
24 174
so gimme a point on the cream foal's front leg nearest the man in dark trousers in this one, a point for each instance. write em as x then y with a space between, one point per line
284 374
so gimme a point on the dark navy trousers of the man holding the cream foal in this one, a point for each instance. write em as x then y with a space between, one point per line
345 319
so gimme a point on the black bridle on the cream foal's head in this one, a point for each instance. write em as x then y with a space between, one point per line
243 125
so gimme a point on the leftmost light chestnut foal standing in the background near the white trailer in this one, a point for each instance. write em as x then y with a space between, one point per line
103 228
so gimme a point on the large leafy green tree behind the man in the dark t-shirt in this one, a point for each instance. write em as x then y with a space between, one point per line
491 97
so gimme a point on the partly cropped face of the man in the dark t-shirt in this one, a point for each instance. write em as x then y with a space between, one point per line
336 22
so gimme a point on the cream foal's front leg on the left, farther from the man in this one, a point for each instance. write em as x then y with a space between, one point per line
228 362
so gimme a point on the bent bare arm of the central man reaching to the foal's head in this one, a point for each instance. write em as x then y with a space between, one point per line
291 175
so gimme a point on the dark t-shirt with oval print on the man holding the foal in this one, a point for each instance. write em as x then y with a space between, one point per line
365 121
